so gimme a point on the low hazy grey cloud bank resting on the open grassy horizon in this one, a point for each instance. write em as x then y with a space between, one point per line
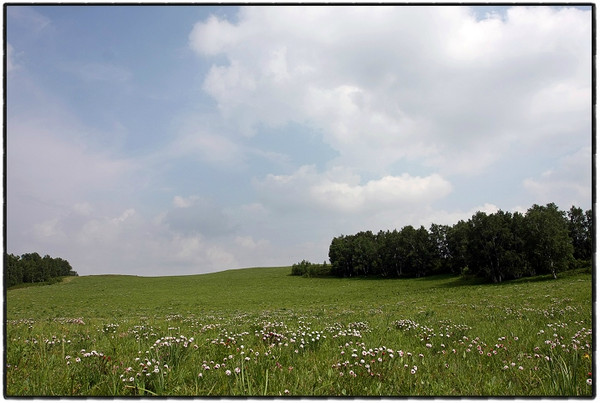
131 242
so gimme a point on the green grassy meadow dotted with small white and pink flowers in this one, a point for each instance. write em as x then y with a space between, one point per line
262 332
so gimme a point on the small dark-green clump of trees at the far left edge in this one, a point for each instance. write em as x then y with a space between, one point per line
32 268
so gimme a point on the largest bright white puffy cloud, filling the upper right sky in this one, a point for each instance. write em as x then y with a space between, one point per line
387 84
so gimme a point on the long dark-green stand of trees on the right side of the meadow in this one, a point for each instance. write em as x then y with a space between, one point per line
497 247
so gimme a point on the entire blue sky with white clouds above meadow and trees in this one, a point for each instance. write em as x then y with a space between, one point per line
173 140
